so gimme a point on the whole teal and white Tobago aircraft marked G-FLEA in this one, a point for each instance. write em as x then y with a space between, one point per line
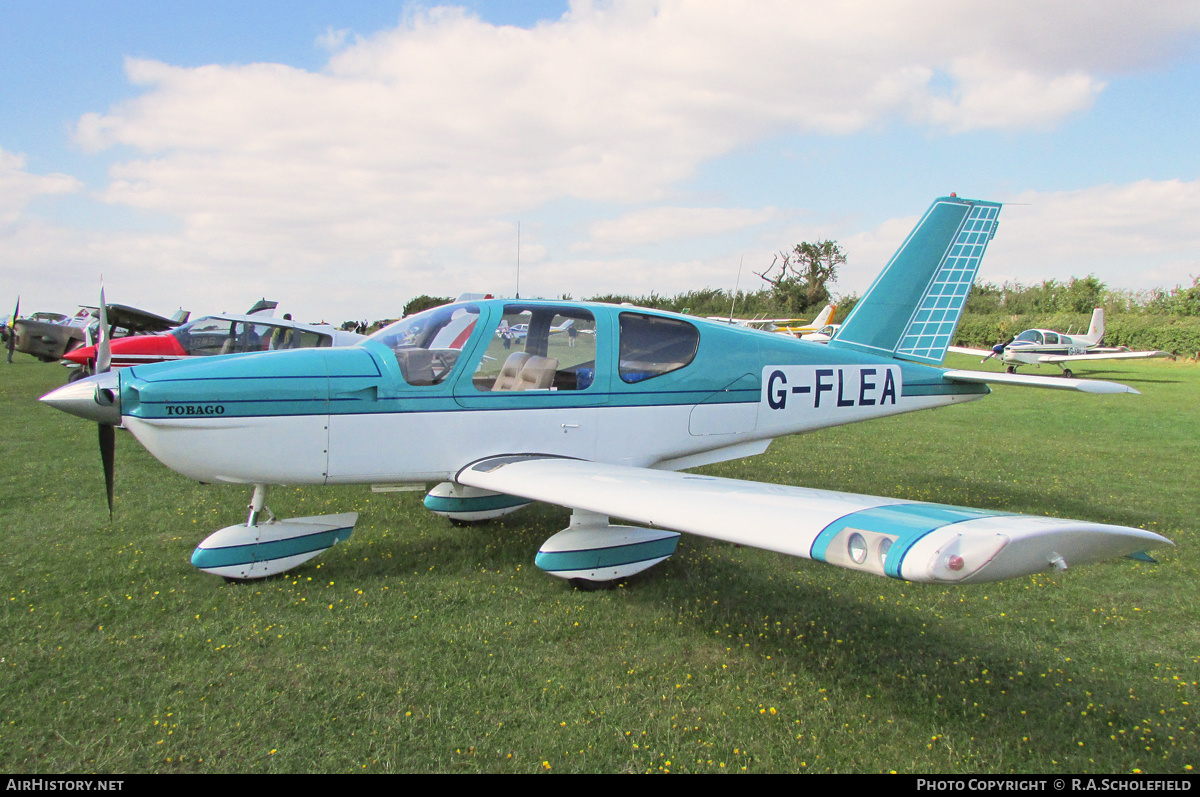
605 423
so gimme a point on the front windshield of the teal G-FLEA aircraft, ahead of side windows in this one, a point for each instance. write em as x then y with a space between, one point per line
429 344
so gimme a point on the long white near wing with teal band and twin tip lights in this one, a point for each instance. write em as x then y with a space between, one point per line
892 537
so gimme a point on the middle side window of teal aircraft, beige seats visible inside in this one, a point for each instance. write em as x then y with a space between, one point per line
537 347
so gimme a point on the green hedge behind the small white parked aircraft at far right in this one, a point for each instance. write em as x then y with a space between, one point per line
1177 334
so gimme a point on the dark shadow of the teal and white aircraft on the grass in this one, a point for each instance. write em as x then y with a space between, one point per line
943 675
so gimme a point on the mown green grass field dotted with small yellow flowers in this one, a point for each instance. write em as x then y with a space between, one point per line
423 648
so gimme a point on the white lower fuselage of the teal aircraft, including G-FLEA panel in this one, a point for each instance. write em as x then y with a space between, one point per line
421 447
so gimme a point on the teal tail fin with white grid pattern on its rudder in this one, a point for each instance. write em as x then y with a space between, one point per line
913 309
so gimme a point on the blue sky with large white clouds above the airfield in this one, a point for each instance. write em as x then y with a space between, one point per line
344 158
